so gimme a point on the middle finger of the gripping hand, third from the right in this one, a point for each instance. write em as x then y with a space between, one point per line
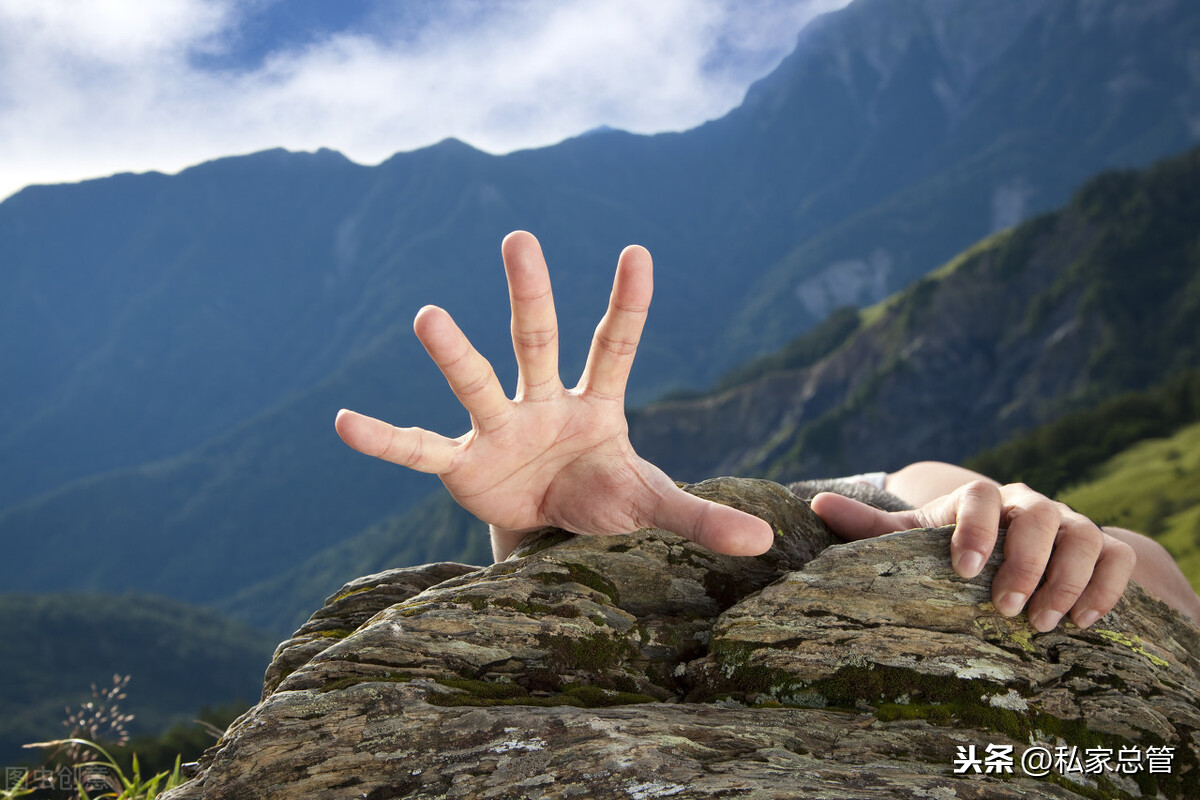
1033 524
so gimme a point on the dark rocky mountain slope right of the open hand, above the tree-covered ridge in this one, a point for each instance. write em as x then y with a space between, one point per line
1049 317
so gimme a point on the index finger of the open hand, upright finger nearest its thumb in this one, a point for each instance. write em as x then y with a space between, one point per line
615 344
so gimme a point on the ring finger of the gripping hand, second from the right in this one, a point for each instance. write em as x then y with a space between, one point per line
1076 552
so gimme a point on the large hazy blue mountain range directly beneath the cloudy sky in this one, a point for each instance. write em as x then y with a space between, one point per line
176 347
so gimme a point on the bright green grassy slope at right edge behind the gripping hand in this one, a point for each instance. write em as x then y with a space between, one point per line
1153 488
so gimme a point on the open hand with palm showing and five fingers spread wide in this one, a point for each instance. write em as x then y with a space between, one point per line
553 456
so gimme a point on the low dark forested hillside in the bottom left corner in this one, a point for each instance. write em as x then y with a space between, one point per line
181 659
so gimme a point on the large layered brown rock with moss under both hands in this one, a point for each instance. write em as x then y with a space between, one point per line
644 666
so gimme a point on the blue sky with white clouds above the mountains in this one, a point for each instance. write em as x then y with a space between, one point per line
91 88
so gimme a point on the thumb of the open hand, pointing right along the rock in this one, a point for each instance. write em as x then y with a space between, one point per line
717 527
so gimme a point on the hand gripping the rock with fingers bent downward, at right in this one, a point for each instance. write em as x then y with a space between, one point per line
1085 569
